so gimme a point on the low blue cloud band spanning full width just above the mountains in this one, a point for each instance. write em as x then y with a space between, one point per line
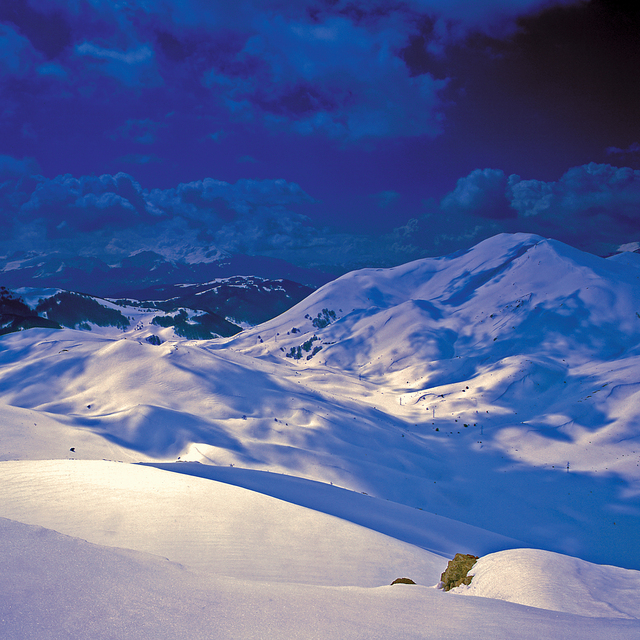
595 207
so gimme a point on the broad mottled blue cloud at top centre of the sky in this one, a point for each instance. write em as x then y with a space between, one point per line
336 78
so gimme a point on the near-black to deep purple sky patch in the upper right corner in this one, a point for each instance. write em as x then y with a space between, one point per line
556 92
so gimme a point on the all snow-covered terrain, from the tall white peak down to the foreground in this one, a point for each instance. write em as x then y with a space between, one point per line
478 403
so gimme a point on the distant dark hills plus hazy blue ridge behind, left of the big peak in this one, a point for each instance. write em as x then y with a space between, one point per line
200 300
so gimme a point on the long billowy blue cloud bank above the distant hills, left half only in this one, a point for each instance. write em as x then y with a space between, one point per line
97 212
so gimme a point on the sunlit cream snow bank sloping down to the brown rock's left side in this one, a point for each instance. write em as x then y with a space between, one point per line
210 526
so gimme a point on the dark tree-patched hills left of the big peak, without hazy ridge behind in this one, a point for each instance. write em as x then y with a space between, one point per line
216 309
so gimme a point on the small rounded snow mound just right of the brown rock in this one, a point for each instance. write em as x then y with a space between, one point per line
556 582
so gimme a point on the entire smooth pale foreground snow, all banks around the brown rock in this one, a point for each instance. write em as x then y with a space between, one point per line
240 564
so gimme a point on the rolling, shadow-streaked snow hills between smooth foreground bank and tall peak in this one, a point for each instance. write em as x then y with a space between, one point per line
142 402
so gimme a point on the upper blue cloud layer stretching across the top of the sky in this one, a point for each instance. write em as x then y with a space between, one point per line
347 69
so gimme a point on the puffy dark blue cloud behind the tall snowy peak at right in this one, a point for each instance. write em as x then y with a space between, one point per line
595 207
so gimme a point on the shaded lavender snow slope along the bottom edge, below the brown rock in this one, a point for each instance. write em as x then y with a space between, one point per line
55 586
